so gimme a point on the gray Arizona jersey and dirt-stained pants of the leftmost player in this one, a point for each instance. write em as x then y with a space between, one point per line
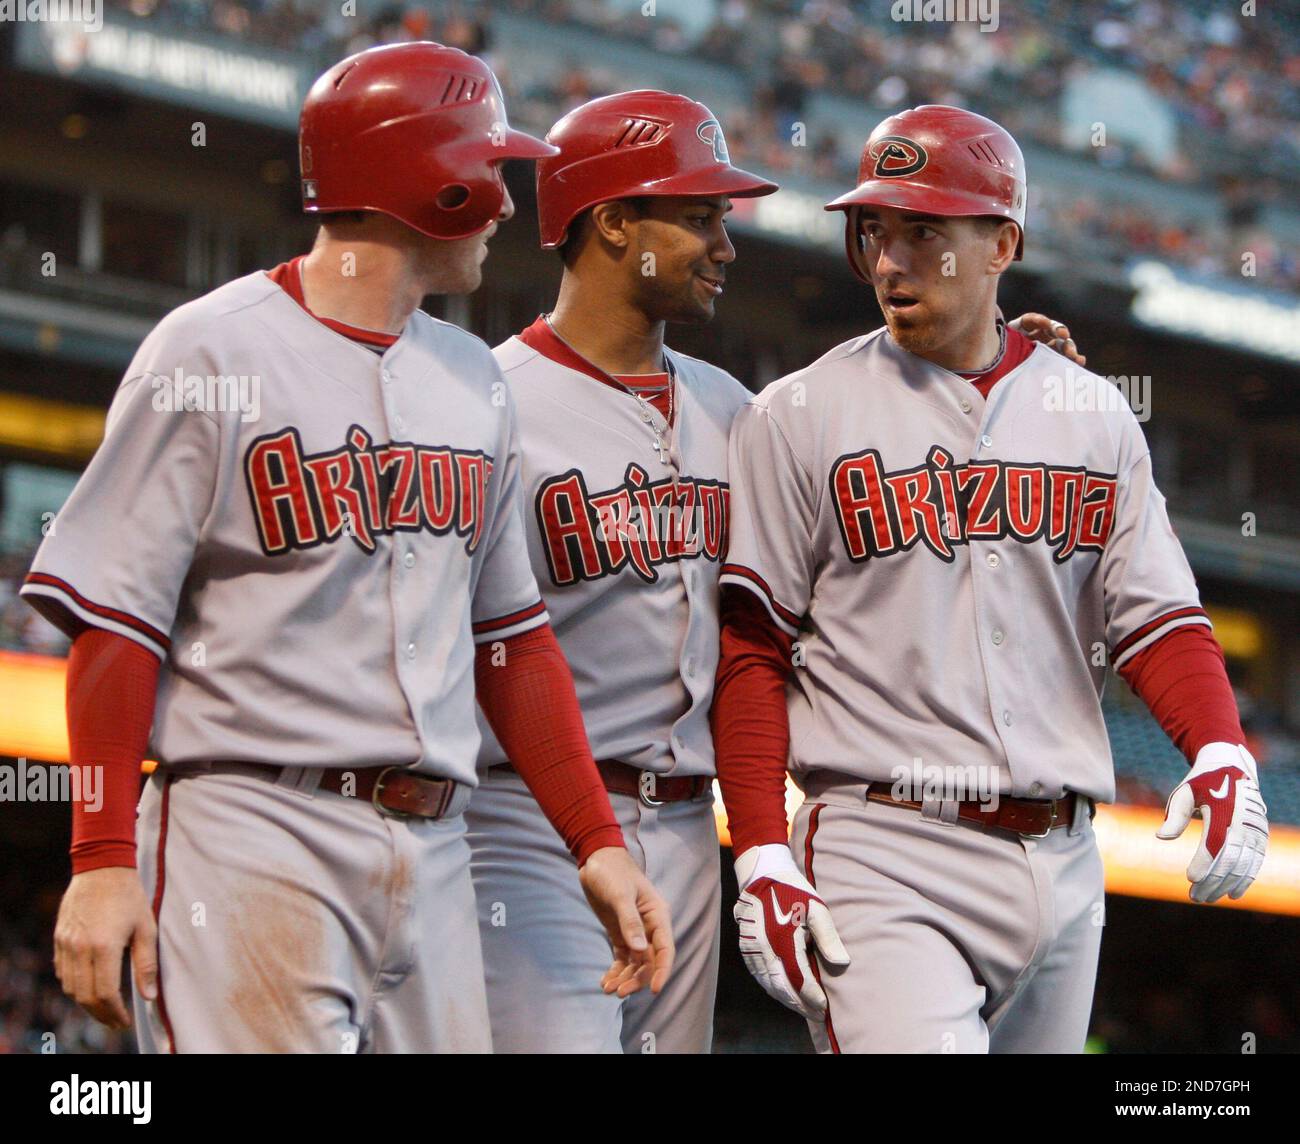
315 564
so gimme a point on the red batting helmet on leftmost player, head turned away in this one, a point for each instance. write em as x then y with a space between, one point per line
414 131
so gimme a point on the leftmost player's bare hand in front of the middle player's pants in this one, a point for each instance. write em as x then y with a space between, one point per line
636 920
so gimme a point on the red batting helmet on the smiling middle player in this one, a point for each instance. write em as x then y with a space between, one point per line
631 145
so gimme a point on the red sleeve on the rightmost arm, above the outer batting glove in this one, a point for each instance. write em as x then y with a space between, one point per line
1184 682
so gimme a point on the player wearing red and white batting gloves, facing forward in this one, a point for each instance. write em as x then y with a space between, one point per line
931 558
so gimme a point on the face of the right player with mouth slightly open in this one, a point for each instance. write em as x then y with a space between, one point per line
933 276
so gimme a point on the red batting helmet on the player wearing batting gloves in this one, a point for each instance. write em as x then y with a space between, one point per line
938 161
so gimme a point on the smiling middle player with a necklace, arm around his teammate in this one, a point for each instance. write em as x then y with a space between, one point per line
625 476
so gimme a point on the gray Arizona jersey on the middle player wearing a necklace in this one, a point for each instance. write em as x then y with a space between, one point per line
627 549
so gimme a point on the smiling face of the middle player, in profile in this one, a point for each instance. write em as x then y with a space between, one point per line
682 253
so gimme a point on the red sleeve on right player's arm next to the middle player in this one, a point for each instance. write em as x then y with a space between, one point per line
752 731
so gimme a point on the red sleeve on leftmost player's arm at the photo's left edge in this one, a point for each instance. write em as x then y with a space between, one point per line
112 683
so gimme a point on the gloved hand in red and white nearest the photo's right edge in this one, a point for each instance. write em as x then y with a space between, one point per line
1224 791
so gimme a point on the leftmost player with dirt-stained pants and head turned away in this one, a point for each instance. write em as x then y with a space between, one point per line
301 592
